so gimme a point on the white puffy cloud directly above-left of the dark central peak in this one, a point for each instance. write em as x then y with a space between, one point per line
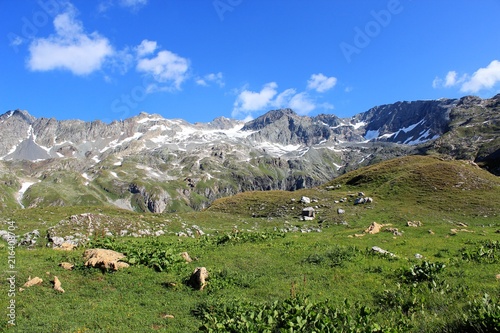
248 101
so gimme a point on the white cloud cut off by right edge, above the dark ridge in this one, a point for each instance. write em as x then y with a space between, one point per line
482 79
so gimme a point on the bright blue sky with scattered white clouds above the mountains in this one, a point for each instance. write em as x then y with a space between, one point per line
200 59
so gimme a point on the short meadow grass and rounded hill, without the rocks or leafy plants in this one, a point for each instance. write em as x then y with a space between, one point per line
438 193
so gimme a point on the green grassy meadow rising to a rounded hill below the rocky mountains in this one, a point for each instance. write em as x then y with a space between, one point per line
269 271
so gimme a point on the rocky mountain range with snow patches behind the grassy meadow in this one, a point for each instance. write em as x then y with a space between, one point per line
149 163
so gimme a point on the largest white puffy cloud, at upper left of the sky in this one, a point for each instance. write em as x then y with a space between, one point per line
70 48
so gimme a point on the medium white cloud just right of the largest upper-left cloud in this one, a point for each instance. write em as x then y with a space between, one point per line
166 67
